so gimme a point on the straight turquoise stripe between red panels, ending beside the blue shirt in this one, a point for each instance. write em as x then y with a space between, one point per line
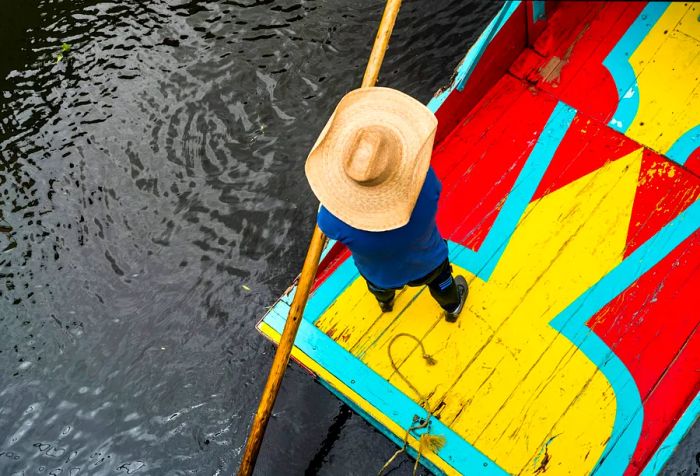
484 261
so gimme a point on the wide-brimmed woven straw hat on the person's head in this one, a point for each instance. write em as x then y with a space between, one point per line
370 161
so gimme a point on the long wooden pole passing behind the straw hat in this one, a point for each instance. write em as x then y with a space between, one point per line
308 273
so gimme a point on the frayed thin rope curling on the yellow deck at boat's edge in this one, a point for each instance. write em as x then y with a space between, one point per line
427 442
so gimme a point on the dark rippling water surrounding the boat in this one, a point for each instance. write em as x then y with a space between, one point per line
153 183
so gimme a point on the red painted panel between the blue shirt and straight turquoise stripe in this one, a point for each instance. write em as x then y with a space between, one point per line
481 160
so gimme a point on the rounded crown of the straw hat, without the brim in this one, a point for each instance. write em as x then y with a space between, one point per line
373 155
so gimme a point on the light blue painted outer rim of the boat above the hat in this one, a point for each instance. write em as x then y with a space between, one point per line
466 67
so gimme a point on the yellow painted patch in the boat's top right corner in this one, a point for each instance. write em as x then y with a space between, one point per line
666 66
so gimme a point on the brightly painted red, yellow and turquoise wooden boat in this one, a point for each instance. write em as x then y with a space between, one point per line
568 148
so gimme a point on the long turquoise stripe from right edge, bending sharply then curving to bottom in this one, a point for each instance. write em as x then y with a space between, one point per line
572 324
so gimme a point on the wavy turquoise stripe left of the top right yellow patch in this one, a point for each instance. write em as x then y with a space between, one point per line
617 62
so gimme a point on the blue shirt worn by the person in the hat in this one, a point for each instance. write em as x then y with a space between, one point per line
390 259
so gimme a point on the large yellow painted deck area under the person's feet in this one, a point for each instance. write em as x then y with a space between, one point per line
509 381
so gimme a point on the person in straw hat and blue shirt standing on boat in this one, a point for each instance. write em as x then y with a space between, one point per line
370 169
